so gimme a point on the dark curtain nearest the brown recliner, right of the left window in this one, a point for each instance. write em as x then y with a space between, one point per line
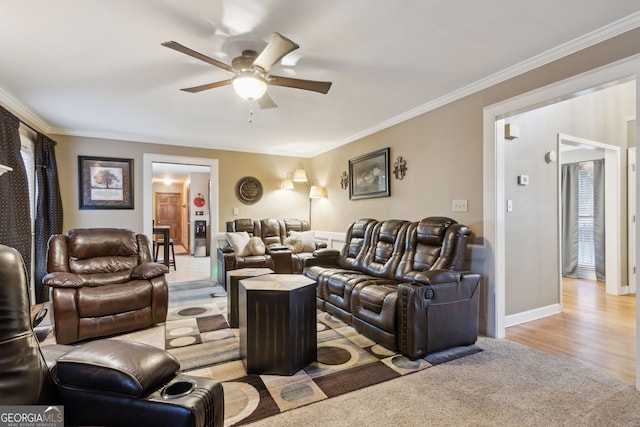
48 209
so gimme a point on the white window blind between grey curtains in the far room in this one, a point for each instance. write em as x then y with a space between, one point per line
586 239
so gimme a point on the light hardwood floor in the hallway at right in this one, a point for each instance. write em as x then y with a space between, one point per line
593 328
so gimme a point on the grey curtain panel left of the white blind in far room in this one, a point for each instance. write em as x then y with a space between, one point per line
569 194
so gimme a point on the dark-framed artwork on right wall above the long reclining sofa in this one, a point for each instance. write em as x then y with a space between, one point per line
369 175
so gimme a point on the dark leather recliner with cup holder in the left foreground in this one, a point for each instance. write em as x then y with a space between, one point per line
100 383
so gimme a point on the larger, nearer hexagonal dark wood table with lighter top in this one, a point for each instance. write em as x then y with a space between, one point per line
277 316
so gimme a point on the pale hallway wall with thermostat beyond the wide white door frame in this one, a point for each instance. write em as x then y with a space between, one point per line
533 224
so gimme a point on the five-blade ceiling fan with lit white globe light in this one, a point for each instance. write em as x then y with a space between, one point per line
251 71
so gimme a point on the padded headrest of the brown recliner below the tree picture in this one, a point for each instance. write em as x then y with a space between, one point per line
101 242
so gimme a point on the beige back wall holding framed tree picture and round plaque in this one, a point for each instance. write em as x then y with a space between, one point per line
270 170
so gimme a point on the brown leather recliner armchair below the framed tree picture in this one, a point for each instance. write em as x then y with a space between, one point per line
104 282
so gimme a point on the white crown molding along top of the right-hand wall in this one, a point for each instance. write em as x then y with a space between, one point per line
621 26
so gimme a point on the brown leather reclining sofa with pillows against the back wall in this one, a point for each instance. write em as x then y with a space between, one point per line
273 233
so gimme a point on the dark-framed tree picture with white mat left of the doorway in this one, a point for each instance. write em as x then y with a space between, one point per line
105 183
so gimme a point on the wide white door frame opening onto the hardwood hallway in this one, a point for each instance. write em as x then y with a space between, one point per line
494 174
